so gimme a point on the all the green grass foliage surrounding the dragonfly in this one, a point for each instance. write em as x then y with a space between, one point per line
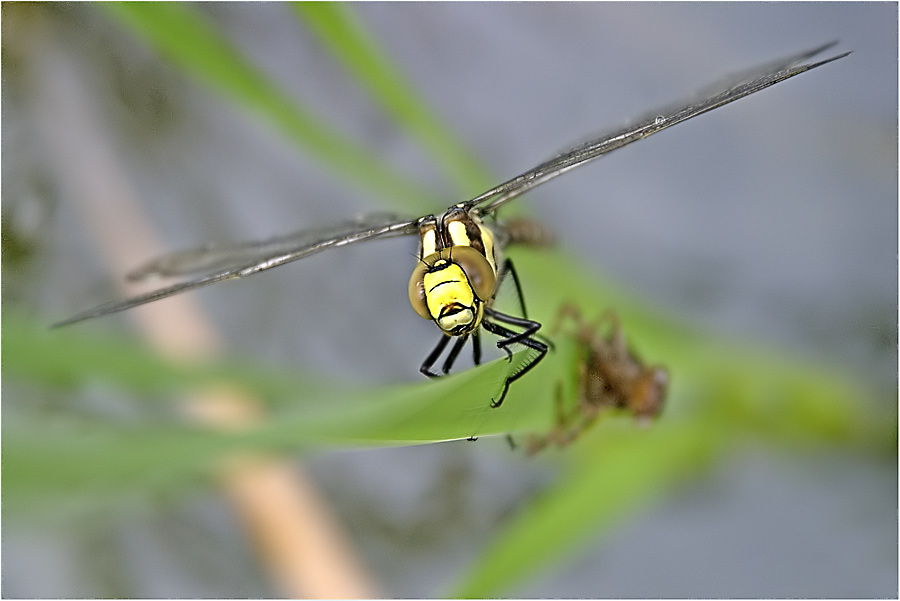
722 392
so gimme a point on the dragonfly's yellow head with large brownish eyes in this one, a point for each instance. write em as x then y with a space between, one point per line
451 286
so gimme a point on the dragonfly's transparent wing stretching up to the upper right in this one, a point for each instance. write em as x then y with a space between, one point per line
745 84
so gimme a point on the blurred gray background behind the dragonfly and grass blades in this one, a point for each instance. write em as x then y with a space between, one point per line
773 219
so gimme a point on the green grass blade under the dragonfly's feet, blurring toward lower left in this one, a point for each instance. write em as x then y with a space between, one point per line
65 463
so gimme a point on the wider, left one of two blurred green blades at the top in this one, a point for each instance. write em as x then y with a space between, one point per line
186 38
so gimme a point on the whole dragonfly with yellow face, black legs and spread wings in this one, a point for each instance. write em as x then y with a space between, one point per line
460 264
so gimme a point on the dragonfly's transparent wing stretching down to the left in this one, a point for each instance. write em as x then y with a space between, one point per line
213 264
